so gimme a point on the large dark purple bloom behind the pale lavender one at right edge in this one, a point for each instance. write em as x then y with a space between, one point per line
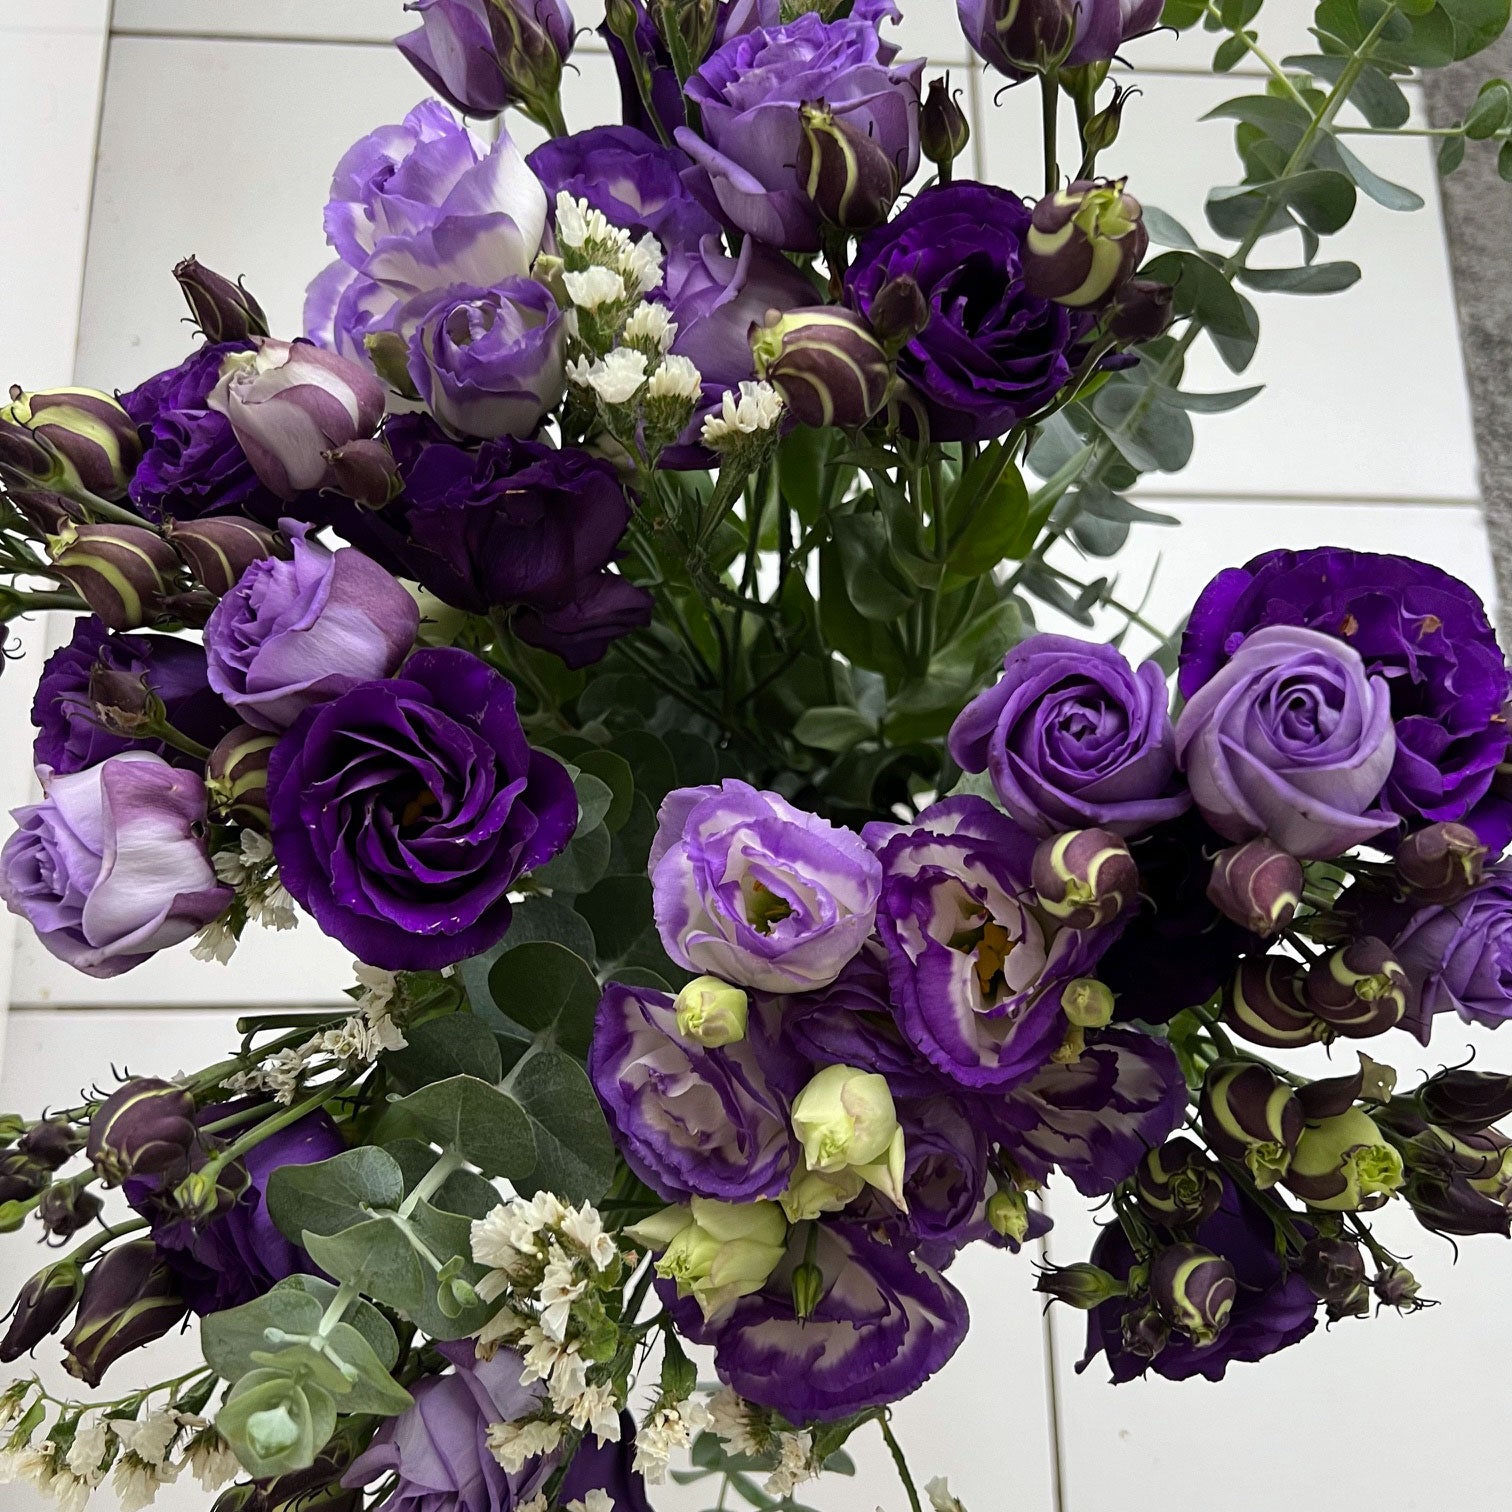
1421 630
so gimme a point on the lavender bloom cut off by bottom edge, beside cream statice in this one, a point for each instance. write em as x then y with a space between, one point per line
438 1451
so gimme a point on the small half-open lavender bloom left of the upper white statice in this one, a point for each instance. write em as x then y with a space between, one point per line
489 362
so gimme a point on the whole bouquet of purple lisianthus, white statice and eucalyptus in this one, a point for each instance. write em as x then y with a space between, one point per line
613 624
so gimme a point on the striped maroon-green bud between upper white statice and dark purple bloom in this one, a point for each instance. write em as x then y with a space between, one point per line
826 365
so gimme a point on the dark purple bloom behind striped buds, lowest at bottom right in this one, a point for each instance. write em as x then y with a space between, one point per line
1272 1309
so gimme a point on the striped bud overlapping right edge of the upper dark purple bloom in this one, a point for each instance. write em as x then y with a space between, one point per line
1085 243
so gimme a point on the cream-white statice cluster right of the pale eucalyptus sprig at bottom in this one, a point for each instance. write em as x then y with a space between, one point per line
547 1263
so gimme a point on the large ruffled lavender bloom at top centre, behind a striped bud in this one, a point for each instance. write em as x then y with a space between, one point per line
749 93
